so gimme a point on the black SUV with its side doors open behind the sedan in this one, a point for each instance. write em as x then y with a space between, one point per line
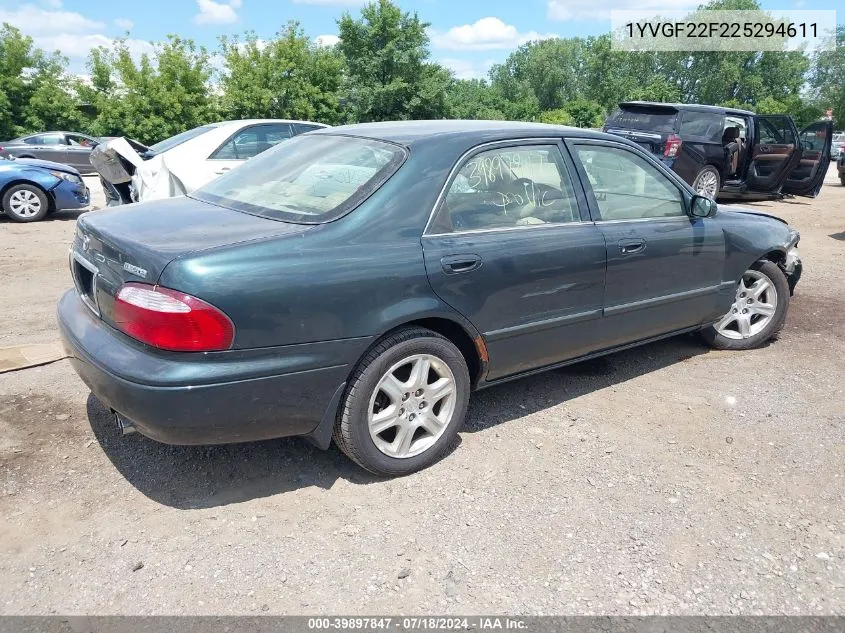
726 152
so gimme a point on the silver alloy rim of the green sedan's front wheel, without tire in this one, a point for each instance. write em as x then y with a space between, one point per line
753 309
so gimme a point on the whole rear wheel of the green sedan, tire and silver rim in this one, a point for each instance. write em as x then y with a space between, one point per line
404 404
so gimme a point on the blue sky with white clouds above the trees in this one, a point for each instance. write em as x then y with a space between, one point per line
467 36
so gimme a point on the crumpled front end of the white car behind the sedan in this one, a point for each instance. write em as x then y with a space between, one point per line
134 172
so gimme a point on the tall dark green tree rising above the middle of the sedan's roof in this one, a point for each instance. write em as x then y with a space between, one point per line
388 75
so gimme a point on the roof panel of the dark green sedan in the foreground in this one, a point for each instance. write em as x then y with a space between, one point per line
410 133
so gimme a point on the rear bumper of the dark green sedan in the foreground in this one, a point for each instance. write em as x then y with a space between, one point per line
216 398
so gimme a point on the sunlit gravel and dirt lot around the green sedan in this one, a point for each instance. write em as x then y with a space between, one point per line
668 479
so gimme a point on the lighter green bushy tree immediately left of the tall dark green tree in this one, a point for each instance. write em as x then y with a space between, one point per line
287 77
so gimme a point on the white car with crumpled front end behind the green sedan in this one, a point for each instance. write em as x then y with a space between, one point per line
132 172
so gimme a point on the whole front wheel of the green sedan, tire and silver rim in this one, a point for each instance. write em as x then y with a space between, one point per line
758 312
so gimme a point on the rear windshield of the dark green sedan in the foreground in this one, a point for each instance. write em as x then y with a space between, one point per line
307 179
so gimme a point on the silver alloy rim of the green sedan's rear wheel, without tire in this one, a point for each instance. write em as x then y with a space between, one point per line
412 406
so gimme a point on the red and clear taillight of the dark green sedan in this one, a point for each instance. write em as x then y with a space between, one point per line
171 320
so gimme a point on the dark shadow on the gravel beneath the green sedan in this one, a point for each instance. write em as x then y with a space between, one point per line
209 476
